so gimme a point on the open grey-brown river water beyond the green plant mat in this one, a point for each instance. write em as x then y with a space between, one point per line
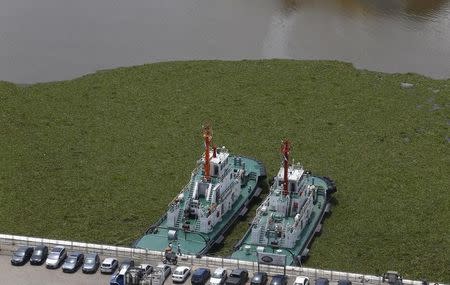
46 40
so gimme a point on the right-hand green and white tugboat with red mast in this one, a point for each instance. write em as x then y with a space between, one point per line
290 216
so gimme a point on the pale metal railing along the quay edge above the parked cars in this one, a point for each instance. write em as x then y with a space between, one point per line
8 243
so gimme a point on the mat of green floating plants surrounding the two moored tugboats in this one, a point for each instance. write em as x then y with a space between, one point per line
98 158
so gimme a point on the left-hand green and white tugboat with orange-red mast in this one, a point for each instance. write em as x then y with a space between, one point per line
219 191
